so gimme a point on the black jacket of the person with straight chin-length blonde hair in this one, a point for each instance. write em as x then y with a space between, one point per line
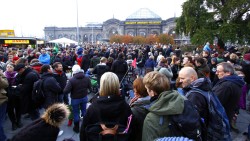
111 108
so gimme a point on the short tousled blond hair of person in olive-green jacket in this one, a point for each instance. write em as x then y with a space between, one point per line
156 81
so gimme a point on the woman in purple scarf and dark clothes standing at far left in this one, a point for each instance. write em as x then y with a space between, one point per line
13 108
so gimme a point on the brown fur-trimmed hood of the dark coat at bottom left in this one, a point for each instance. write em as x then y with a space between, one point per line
56 114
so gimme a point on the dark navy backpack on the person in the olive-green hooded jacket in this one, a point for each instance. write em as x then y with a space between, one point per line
187 124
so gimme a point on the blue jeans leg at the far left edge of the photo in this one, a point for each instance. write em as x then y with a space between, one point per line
2 118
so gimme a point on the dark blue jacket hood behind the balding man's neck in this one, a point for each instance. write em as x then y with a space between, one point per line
201 83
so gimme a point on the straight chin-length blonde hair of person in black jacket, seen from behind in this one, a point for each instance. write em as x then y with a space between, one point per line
109 84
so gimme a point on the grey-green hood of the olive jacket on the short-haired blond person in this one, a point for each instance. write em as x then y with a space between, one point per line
168 103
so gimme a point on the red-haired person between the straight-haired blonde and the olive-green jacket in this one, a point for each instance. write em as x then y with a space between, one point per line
137 104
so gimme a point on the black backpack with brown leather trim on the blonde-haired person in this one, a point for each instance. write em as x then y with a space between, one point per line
112 131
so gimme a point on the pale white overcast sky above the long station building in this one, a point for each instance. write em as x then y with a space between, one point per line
29 17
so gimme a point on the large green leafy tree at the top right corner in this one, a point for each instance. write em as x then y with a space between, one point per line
224 19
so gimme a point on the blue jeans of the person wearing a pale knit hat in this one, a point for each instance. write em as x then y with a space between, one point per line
77 105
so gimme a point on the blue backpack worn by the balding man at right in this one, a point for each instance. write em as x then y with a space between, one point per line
218 127
